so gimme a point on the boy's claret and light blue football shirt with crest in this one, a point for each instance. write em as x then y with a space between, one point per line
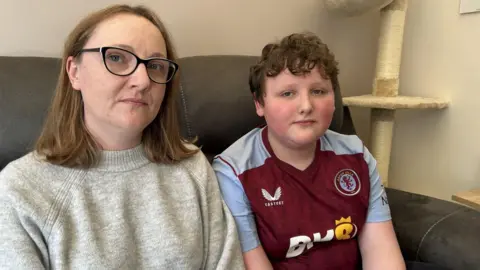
304 219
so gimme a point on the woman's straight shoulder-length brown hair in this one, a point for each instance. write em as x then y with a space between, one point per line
65 139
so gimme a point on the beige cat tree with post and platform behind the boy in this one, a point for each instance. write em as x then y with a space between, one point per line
385 99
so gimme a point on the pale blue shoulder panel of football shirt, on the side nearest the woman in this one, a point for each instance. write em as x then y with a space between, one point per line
248 152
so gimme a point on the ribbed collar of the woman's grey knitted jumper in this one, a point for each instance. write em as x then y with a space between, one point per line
123 160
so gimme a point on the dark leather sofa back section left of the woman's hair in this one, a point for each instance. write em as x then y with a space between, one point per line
26 88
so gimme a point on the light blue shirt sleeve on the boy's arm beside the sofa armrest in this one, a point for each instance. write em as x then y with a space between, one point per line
378 209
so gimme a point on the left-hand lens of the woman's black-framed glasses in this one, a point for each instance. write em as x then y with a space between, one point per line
120 62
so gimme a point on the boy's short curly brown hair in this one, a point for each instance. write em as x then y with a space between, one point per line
300 53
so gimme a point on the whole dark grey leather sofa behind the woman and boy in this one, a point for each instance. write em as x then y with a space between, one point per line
216 105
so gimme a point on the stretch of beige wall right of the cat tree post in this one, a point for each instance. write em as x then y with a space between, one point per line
437 153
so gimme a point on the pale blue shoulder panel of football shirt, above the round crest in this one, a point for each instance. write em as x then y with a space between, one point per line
341 144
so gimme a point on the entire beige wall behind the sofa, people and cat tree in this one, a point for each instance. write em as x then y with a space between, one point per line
440 49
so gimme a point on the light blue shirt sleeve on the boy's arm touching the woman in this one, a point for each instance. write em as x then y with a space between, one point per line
238 203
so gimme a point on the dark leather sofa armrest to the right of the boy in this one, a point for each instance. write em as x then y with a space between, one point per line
436 231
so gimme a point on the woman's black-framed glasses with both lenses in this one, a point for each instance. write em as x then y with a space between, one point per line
122 62
